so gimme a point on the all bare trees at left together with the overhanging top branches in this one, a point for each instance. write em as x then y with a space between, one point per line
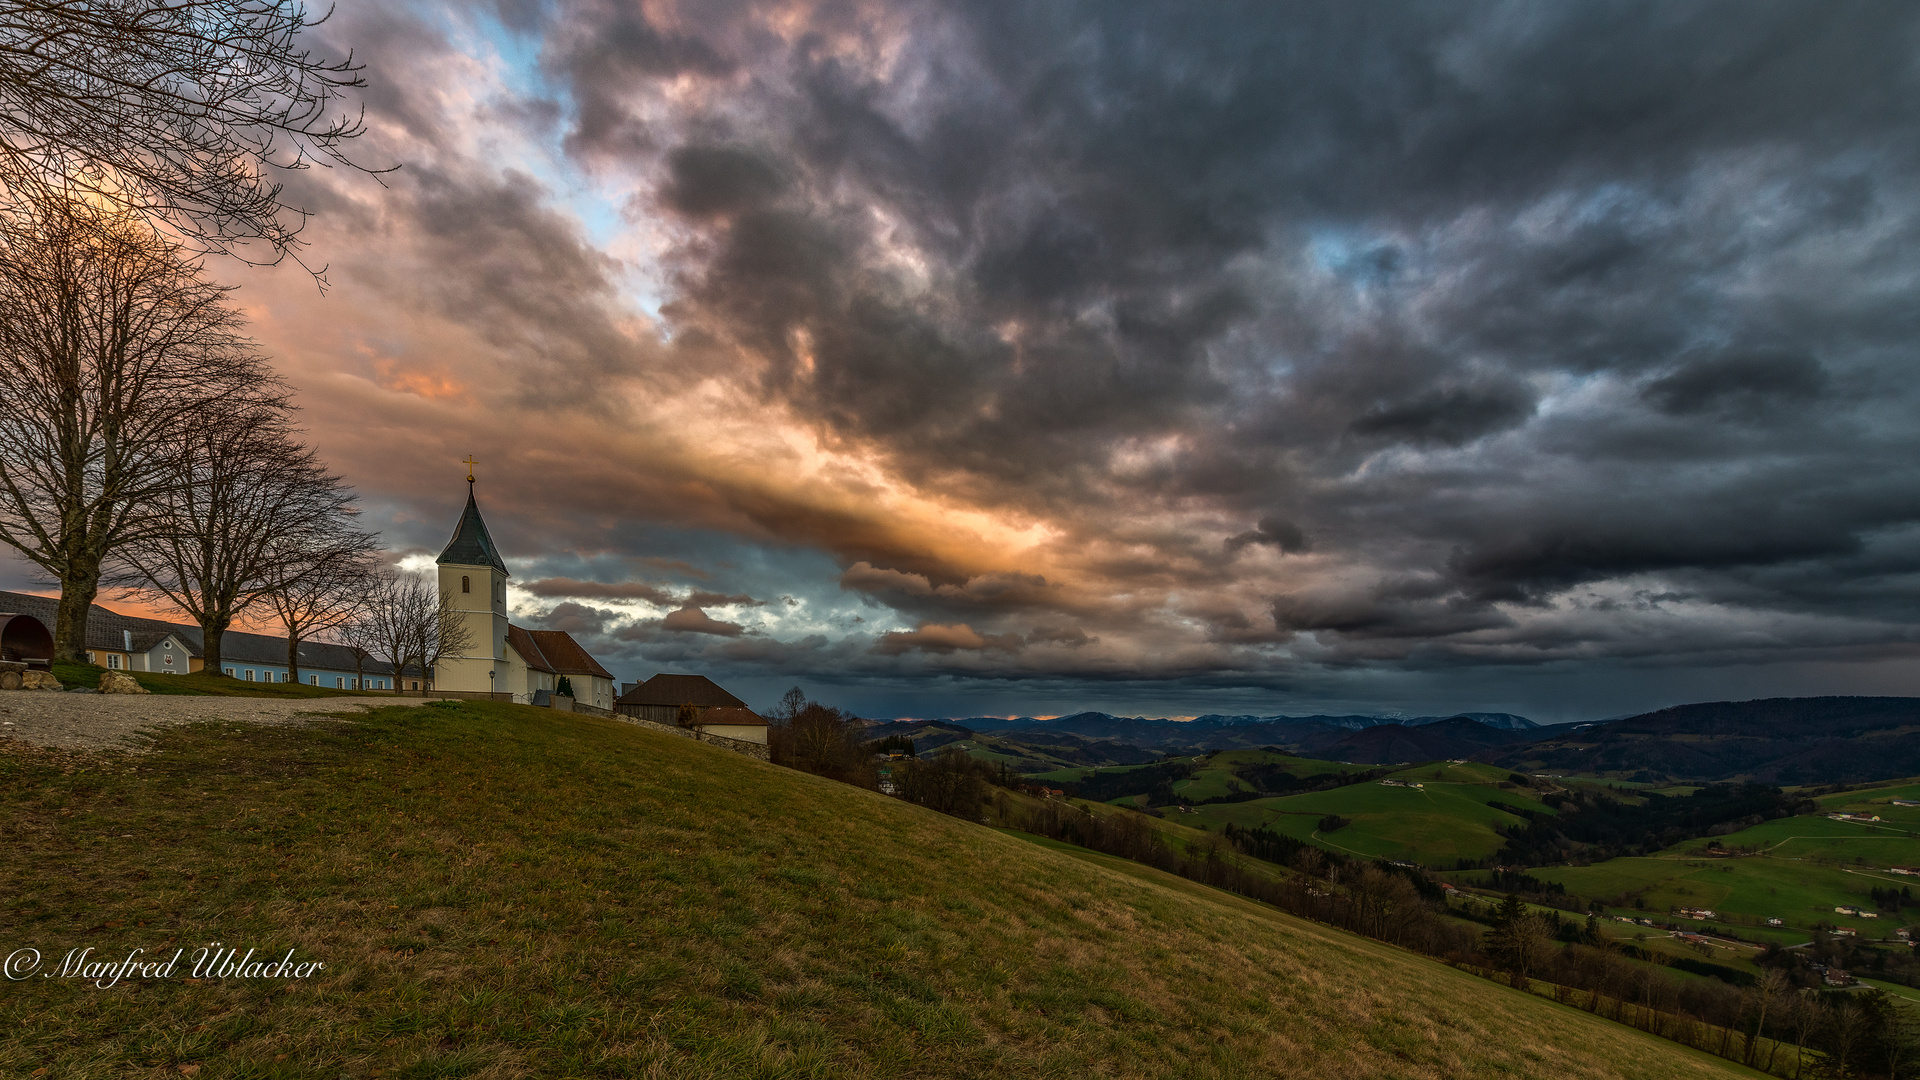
145 443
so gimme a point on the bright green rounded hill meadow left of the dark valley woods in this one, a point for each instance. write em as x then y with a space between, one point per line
1431 825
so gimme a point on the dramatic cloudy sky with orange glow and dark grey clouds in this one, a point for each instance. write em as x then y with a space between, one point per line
1022 358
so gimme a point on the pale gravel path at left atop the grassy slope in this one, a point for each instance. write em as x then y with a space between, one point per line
114 722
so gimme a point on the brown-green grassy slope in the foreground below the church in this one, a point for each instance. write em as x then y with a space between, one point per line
502 891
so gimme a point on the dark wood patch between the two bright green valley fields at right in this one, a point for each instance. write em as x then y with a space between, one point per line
1595 825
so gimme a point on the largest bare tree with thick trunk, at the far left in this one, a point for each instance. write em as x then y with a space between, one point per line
112 351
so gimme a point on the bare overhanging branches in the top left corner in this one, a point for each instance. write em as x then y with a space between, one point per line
178 110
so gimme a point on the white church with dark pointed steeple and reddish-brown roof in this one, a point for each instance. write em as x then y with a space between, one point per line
506 660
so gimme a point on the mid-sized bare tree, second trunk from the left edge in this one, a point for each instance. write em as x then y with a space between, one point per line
247 504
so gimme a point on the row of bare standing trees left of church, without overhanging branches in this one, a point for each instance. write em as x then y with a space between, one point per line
147 447
